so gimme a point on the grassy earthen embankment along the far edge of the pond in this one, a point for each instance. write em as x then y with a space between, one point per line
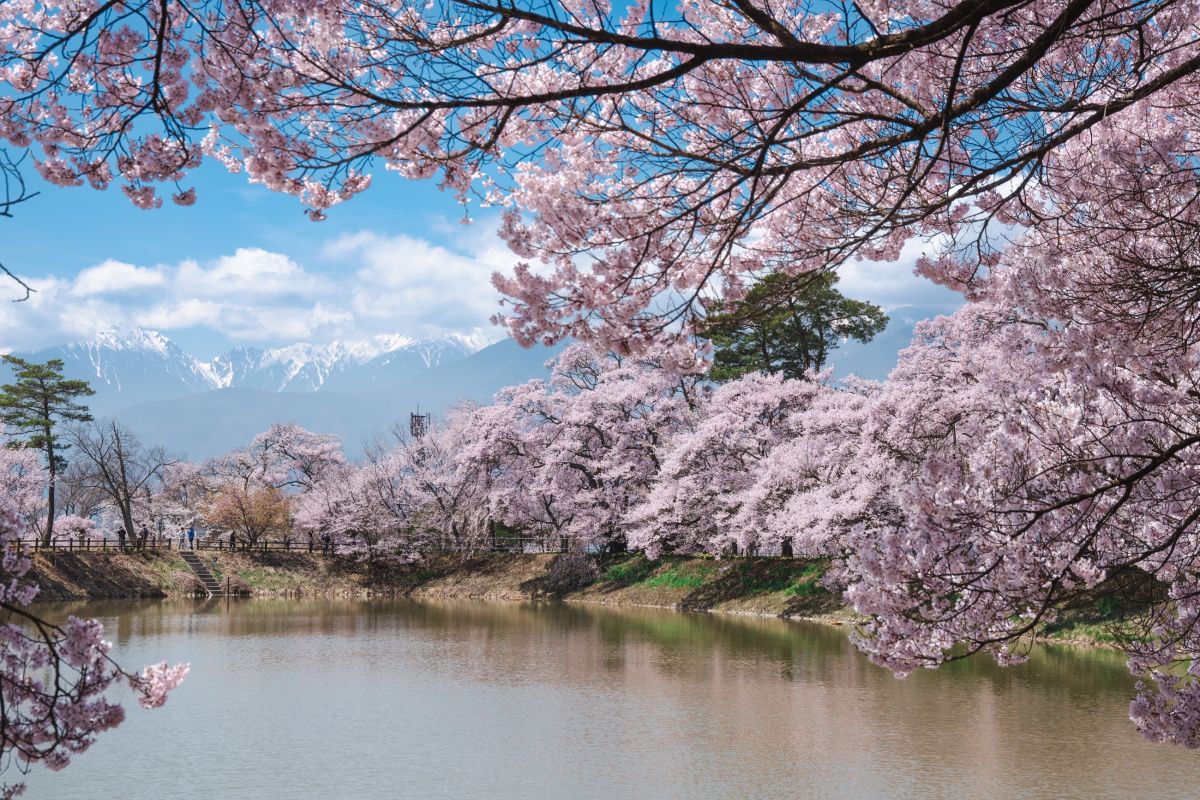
749 586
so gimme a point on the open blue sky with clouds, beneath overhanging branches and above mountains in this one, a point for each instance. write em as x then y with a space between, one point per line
245 267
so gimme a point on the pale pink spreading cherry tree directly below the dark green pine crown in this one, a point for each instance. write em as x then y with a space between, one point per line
761 450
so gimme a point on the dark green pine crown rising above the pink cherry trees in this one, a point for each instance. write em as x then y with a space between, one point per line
789 324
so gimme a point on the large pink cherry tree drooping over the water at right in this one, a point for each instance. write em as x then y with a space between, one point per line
1043 449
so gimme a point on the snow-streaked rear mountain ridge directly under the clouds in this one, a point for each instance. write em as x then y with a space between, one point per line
134 366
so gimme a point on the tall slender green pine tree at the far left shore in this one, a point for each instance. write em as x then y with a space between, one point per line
33 407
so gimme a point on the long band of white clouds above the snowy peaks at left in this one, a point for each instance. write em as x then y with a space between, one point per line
357 286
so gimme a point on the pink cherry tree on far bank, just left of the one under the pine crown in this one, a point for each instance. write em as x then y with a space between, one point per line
579 452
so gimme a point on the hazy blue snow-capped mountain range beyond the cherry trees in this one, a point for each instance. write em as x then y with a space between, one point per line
358 390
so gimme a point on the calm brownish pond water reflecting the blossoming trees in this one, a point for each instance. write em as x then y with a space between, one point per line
292 700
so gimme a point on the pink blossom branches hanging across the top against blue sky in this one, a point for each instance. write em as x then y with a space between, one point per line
687 152
